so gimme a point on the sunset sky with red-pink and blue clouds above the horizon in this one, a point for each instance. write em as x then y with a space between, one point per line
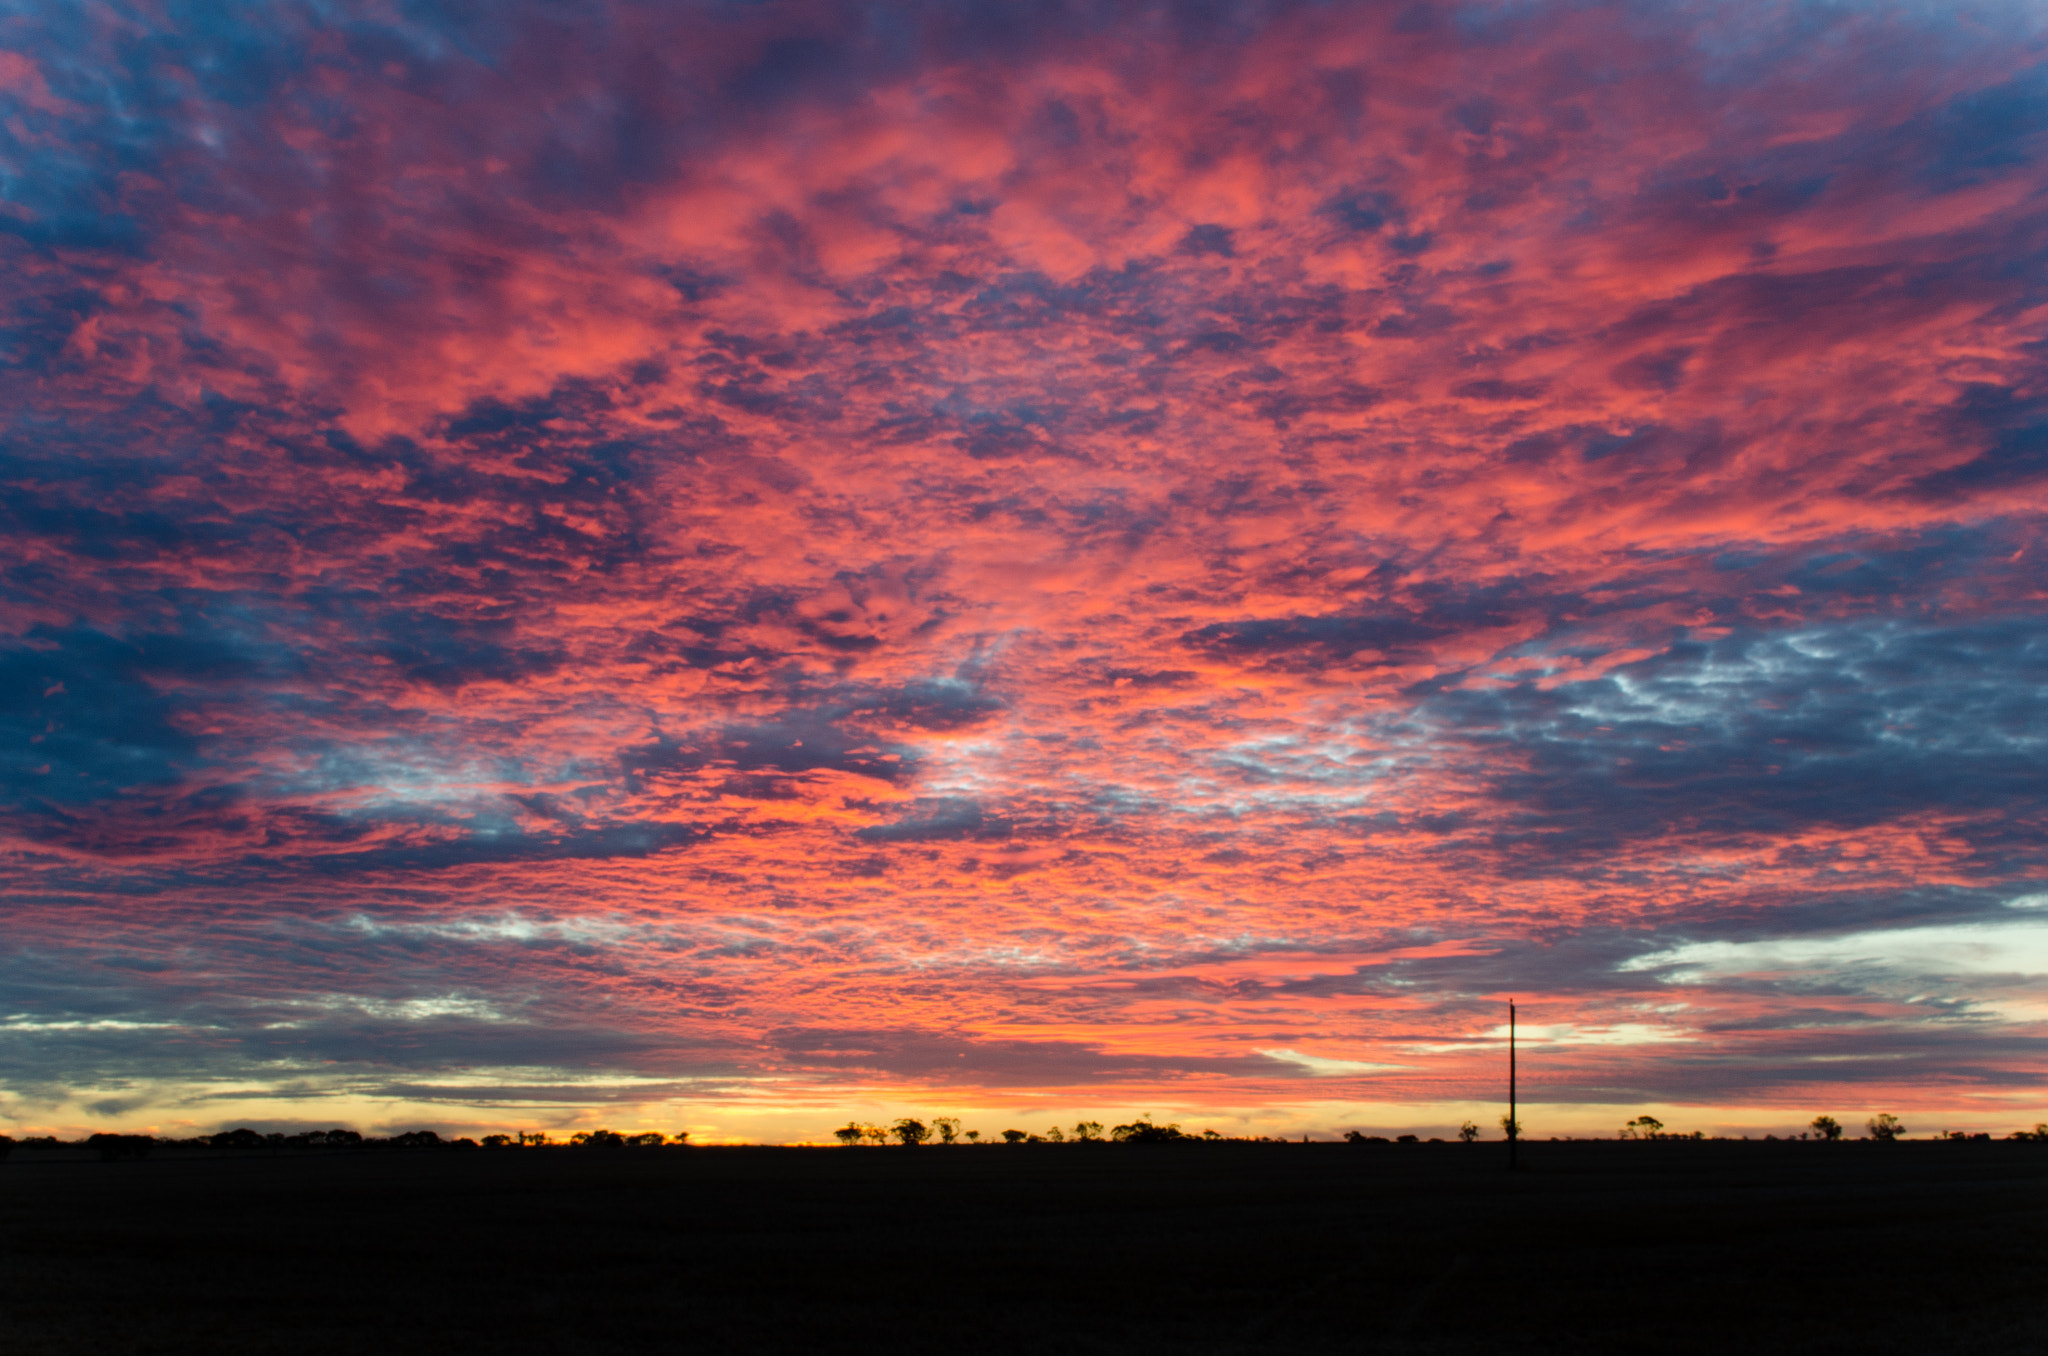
746 566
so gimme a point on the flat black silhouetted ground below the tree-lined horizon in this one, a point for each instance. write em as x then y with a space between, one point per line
1641 1248
